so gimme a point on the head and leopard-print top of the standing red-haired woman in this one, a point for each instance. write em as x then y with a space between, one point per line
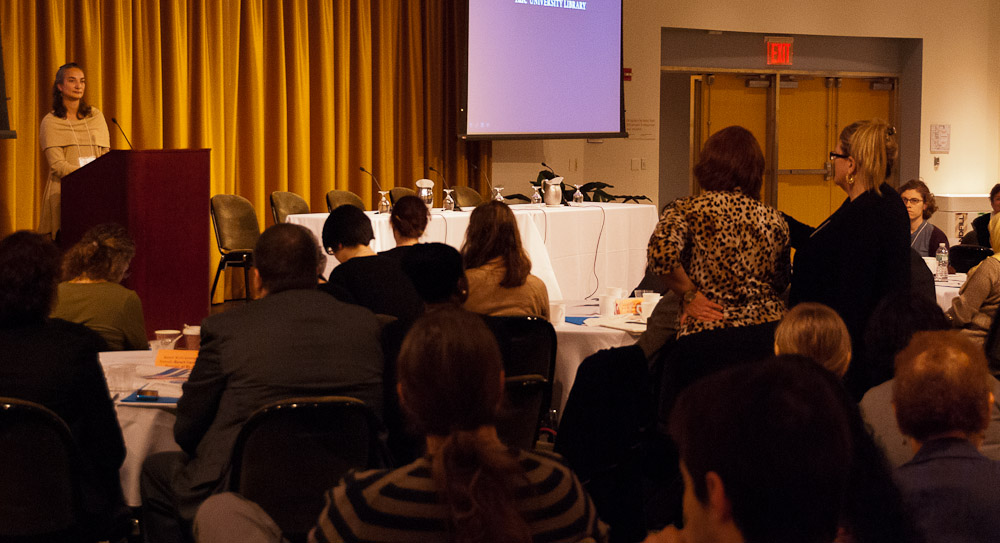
723 251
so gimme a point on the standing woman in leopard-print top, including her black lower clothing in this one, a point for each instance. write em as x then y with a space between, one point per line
725 255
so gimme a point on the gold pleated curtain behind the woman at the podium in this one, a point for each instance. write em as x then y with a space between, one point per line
288 94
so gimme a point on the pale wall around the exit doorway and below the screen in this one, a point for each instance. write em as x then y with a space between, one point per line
961 83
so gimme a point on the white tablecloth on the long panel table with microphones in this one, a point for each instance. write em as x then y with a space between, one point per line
574 250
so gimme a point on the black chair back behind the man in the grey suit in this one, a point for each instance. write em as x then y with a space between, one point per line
289 453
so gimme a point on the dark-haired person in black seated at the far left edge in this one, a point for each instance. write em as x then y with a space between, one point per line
54 363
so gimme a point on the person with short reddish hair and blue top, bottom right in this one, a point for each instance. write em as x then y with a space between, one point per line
942 398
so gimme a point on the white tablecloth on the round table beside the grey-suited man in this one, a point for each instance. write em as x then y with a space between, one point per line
146 429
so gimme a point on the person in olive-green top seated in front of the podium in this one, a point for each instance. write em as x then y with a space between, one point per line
90 293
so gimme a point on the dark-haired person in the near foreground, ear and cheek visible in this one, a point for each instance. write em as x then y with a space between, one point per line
765 451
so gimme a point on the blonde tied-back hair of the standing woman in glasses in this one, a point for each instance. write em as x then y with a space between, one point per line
872 145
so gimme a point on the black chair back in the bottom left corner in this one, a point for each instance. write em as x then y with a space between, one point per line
39 494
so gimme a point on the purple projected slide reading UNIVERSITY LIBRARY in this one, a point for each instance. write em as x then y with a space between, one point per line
544 67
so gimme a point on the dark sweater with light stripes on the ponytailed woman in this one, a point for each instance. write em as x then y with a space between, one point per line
402 505
